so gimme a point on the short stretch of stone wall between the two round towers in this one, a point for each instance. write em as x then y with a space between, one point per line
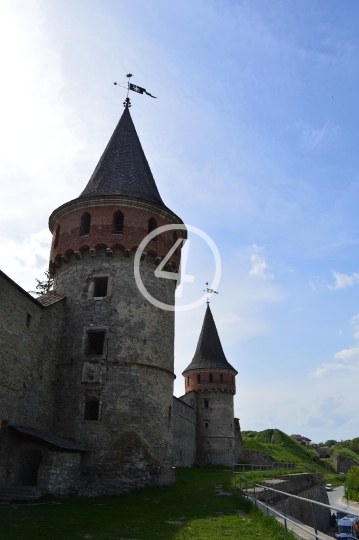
184 431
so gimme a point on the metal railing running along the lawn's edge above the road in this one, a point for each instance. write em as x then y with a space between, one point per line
252 491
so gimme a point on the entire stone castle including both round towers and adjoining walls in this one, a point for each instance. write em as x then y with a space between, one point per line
87 370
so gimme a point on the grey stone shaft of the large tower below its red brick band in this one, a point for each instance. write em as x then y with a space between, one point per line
131 440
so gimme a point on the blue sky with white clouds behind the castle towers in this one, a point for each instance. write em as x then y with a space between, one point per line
253 139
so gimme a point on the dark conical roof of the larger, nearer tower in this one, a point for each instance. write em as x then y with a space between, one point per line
123 168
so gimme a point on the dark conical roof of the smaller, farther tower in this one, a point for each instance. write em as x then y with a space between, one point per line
209 353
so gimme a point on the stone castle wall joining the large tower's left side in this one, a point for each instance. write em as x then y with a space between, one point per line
30 340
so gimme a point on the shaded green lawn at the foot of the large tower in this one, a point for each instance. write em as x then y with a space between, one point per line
191 508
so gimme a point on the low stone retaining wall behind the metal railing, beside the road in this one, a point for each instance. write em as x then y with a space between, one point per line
306 485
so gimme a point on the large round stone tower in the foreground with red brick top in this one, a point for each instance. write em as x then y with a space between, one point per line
115 373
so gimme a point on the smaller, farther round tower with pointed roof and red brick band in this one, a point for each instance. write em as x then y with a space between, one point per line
213 379
